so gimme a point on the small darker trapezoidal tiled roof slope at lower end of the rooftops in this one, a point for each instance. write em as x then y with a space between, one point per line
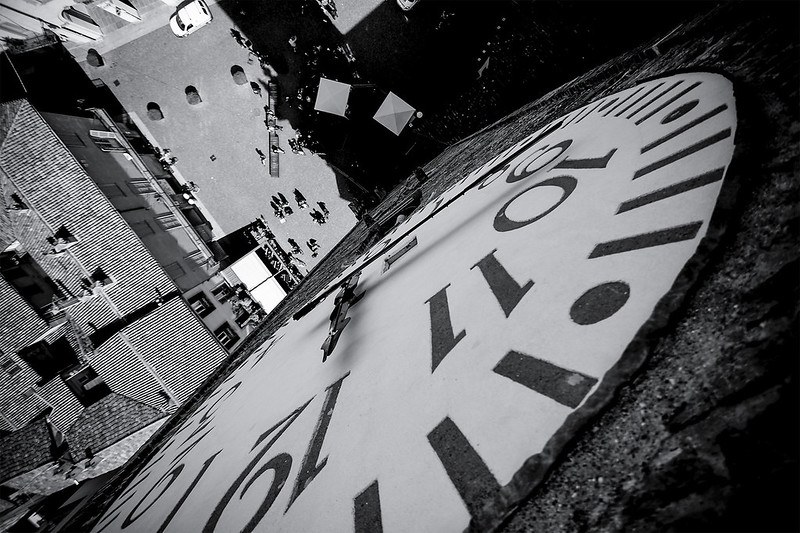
111 419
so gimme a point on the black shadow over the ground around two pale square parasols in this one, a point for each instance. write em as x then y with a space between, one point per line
500 55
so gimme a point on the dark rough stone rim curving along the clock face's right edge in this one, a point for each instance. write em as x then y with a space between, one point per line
535 470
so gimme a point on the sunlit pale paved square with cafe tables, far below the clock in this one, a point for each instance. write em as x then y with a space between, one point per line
228 124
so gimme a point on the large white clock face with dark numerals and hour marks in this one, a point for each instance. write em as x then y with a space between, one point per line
488 318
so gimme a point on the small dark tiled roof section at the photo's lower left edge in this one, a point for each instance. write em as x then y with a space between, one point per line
24 449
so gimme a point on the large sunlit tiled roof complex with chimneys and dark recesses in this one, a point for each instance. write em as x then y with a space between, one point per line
86 311
